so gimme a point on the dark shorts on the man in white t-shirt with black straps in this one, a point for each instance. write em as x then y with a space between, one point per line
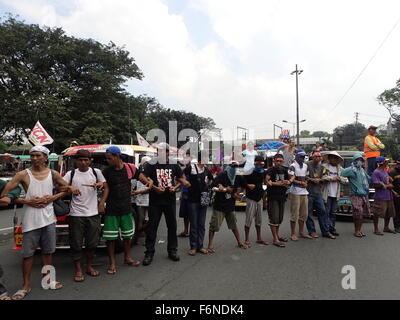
83 229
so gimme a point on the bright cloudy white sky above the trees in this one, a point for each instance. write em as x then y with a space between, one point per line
231 60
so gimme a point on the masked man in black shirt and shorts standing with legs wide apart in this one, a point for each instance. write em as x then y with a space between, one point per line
225 186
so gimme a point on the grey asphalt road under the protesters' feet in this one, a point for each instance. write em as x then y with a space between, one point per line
307 269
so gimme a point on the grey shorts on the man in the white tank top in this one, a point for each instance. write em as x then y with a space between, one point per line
45 238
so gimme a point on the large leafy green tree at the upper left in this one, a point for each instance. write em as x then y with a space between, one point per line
73 86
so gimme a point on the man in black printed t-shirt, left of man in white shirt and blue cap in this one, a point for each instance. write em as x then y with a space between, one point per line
277 179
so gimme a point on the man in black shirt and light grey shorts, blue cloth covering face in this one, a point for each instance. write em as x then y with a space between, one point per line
253 184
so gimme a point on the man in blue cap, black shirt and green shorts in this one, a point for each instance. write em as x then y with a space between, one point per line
118 212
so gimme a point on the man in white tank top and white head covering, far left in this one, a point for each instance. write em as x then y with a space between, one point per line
39 222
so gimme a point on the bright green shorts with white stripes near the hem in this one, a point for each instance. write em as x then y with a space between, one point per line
112 225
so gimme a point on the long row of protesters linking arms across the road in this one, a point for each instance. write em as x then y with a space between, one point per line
133 200
